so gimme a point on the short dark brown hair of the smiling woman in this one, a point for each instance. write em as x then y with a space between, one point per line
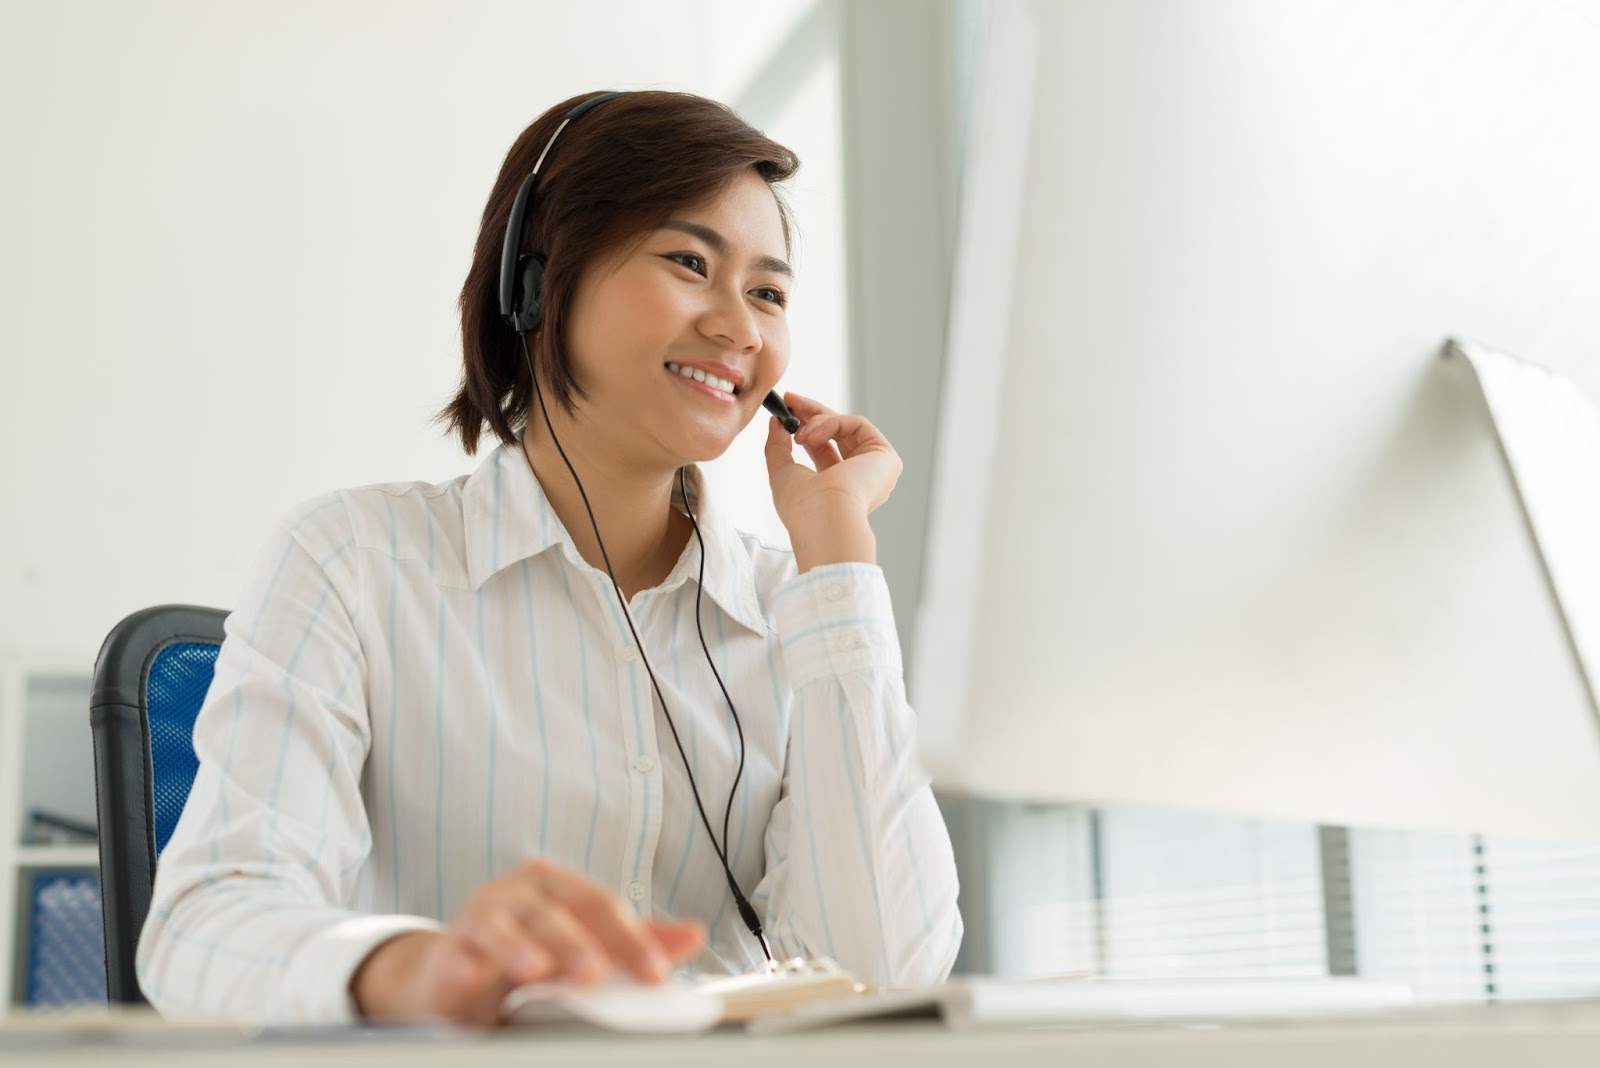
615 173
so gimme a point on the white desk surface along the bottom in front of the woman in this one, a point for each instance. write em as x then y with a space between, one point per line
1537 1037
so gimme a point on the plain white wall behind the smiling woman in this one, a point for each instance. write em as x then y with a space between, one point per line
231 244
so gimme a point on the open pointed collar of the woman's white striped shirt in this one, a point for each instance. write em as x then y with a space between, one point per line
506 519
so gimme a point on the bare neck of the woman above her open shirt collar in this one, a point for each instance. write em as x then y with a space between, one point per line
644 533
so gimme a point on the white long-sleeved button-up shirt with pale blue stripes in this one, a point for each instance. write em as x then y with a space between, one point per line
426 687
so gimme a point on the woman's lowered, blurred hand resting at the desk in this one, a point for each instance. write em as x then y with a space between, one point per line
538 923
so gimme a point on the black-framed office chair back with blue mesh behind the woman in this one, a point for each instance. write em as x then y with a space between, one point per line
151 677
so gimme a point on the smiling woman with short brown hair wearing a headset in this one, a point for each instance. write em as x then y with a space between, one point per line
441 759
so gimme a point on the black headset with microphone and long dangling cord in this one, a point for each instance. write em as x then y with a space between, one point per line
522 309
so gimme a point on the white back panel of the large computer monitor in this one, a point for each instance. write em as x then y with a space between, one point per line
1214 524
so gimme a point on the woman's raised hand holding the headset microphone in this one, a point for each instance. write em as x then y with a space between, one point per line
826 509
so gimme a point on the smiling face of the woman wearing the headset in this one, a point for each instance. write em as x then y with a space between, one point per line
700 298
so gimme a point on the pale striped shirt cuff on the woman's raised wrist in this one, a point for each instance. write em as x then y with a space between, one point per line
836 620
